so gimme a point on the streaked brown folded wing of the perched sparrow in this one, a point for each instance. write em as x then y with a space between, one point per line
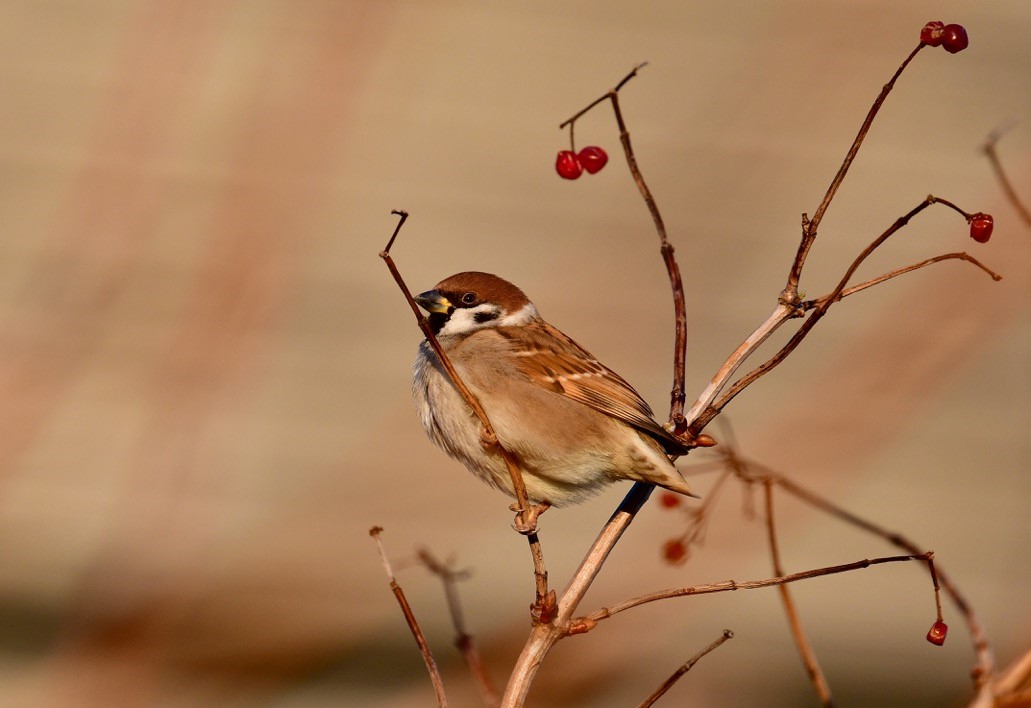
557 363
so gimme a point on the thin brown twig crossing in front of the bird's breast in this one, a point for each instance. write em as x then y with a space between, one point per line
526 518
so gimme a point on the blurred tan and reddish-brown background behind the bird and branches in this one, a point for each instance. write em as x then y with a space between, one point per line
206 366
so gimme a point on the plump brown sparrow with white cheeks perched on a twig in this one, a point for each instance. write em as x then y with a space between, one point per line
572 424
